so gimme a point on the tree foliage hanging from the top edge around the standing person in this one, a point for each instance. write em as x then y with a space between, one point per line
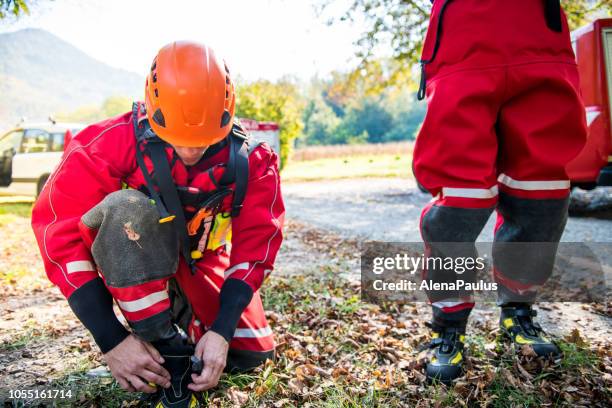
403 24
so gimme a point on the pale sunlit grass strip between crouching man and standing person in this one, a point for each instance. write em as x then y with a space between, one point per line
386 165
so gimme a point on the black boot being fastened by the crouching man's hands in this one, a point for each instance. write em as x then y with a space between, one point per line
179 363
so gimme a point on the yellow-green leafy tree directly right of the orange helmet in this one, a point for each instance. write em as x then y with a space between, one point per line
279 102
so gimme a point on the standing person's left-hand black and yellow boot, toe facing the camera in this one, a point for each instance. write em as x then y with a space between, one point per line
446 363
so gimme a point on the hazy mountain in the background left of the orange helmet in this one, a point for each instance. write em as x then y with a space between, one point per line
41 74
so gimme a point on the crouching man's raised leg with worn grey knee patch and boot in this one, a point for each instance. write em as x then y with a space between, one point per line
137 256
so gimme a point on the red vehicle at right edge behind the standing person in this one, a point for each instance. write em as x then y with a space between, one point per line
593 48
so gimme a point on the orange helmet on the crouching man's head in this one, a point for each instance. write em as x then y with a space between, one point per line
189 95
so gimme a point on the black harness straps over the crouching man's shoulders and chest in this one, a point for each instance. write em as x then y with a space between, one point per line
171 200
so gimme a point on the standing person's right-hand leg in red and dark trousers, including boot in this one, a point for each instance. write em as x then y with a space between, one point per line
541 128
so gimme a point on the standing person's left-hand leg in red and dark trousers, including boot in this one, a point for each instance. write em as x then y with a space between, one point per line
454 159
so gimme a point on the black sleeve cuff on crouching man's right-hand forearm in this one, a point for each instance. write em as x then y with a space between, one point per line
235 296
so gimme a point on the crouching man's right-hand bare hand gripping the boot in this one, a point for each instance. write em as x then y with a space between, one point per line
212 350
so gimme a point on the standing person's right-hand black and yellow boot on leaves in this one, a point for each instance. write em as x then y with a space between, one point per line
516 321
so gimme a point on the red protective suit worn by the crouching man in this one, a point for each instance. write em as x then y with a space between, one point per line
102 159
